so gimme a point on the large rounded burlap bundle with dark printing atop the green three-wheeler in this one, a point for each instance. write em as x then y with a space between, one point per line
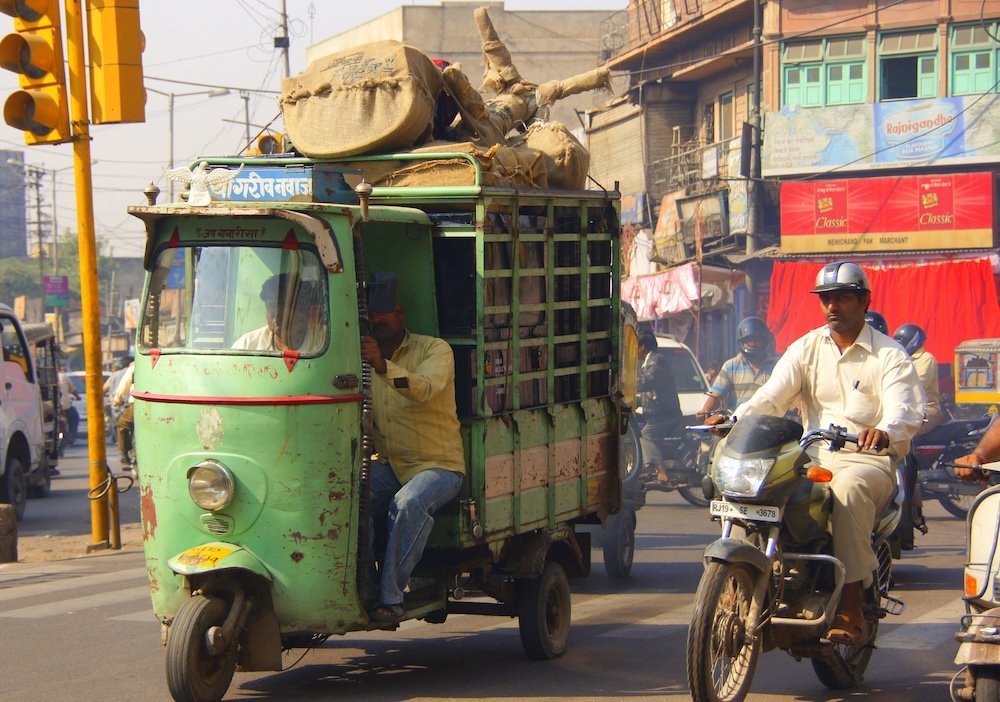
377 97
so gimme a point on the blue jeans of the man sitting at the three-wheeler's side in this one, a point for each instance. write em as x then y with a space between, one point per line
407 511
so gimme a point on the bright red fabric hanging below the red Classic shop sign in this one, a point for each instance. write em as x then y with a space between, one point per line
952 301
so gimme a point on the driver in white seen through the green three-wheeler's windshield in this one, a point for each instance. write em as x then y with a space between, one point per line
288 325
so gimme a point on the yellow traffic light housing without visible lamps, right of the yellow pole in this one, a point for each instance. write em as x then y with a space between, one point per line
116 44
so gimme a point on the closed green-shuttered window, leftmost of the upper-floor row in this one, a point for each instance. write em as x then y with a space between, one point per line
827 71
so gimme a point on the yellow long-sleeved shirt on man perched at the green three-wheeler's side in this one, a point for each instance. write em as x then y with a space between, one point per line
413 405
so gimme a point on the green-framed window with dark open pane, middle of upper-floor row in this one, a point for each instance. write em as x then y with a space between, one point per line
908 64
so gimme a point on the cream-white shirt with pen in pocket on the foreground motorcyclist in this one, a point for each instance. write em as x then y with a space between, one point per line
872 384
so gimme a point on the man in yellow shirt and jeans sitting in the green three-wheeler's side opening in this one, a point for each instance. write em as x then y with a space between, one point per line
421 462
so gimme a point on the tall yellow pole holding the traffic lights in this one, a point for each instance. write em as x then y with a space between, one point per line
100 477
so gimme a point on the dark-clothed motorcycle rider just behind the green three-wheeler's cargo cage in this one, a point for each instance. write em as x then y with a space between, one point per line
661 406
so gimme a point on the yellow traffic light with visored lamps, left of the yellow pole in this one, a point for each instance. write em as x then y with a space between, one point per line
35 53
